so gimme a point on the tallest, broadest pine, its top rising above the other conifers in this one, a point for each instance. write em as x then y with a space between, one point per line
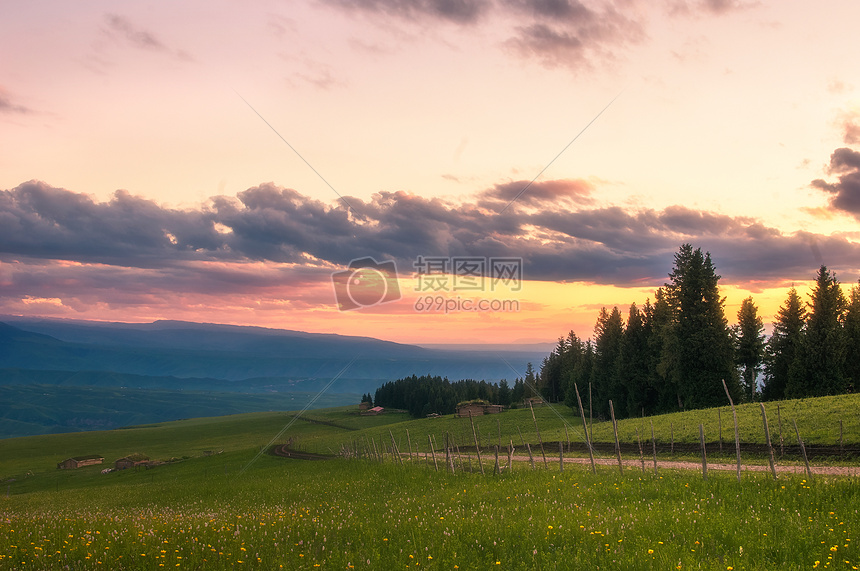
699 354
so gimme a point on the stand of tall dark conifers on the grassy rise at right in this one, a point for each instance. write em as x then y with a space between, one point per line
674 353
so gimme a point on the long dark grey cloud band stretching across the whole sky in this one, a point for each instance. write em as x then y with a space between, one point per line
562 240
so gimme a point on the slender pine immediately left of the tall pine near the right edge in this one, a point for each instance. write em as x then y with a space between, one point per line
784 346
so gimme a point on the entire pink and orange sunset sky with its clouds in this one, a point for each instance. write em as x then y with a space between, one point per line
221 161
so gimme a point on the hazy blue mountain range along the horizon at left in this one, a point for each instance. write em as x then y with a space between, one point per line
237 353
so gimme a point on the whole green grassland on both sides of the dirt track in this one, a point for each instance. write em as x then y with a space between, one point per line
241 508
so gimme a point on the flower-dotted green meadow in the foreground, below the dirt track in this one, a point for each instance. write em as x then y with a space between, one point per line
232 511
